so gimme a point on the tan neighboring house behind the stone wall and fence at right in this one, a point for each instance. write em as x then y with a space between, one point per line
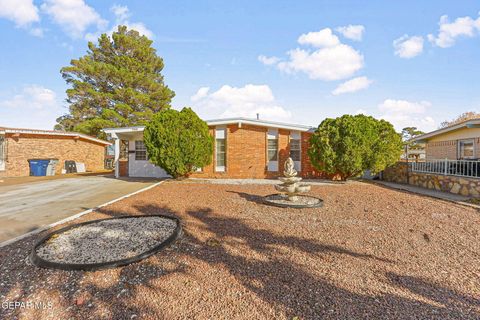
460 141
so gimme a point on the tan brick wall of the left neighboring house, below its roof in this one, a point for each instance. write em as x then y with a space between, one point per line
31 146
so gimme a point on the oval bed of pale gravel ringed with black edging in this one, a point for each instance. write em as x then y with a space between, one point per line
105 243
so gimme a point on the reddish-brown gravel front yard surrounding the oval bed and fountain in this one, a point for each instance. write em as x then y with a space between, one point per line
369 253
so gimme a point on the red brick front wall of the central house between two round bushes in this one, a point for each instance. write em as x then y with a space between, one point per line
247 154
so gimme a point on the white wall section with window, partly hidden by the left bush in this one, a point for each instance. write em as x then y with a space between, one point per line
138 164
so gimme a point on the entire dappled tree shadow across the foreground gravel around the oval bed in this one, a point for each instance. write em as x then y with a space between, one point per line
271 274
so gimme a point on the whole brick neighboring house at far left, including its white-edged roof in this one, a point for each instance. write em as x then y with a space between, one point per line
17 146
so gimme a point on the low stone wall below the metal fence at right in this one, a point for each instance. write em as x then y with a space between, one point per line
464 186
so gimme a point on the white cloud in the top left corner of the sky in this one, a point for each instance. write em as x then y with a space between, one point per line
22 12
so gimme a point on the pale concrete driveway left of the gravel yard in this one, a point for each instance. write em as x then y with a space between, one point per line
26 207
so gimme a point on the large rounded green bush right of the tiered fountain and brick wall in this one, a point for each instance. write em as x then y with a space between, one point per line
349 145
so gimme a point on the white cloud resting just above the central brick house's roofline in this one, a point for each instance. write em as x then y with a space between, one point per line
244 101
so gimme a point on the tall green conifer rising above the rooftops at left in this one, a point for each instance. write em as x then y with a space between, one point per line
117 83
